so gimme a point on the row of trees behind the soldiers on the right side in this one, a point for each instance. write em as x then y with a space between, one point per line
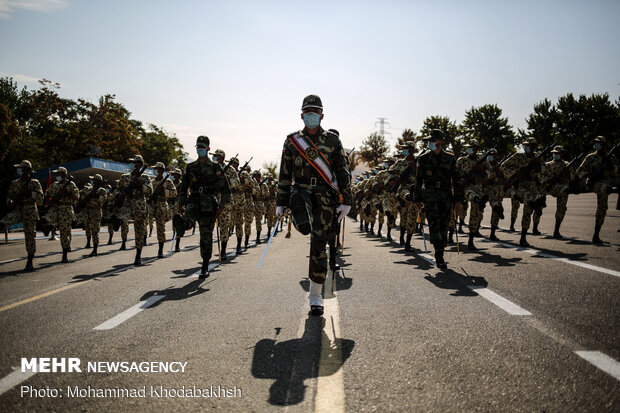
570 122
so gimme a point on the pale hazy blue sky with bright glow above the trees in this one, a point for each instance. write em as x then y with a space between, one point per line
237 71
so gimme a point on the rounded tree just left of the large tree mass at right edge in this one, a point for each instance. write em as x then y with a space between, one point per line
486 124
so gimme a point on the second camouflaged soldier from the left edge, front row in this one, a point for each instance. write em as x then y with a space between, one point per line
62 194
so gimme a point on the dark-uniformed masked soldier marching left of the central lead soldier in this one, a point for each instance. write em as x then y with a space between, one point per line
204 180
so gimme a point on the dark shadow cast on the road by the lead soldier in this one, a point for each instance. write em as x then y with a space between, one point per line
291 362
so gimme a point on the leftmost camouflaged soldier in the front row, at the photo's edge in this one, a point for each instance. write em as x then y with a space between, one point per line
25 193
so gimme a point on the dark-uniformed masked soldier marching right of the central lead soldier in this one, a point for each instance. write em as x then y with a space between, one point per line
437 188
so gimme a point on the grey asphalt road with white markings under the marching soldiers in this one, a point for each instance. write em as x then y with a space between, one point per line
503 329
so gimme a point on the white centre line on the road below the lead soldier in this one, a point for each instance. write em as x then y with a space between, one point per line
330 383
